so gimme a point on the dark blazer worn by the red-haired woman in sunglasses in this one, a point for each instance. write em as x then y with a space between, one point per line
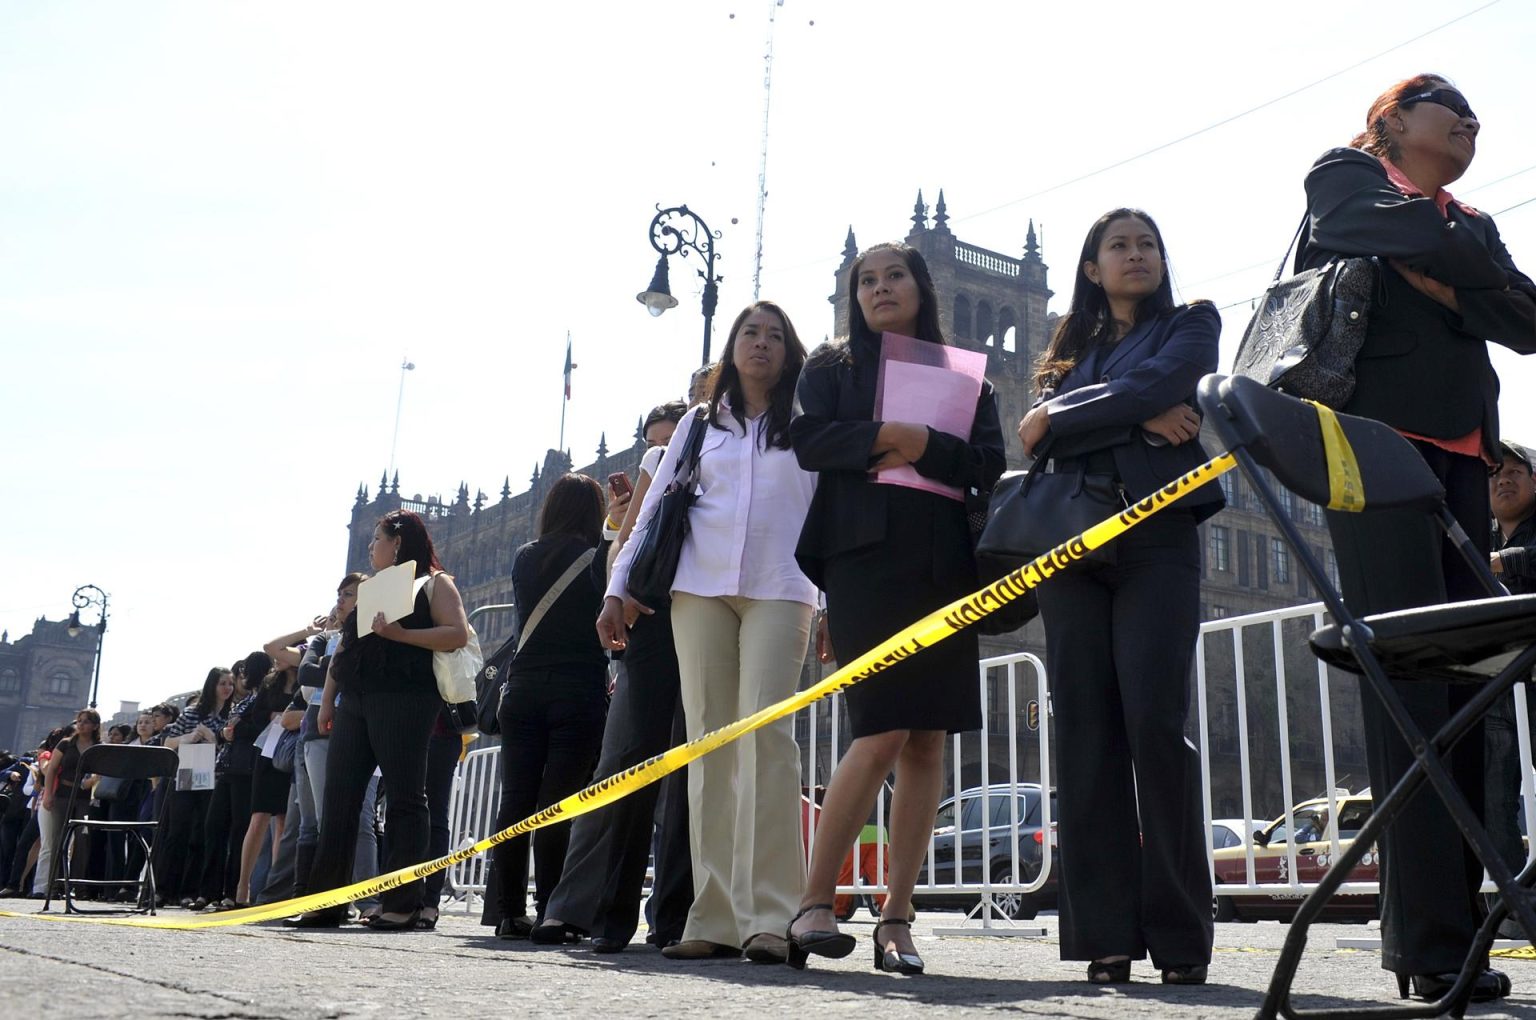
1425 369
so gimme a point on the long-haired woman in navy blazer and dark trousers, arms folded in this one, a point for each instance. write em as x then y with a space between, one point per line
1117 388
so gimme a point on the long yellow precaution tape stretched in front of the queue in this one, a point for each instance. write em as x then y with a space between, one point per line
930 631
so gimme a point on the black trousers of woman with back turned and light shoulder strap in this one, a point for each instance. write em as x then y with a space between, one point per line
551 735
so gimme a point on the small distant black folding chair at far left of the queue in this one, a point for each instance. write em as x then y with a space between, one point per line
114 761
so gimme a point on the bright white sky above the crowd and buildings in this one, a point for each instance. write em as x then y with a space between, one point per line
223 225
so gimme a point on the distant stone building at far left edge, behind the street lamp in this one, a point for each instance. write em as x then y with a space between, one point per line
45 678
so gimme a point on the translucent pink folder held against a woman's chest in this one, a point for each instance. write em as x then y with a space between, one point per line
929 385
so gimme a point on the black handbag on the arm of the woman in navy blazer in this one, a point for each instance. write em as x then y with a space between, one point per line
1033 512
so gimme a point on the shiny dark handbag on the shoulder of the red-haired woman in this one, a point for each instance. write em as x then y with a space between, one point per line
1306 336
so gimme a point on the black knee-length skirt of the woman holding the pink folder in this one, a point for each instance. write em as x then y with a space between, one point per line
924 565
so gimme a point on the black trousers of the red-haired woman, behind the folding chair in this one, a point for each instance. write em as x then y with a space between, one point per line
1394 560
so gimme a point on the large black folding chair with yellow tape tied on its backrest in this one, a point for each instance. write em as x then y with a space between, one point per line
1491 643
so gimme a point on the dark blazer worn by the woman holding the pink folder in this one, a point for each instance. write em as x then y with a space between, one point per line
833 431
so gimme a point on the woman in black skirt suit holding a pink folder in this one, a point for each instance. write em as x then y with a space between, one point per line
887 555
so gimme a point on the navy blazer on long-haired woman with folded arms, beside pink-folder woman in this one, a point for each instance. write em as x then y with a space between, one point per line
1156 366
